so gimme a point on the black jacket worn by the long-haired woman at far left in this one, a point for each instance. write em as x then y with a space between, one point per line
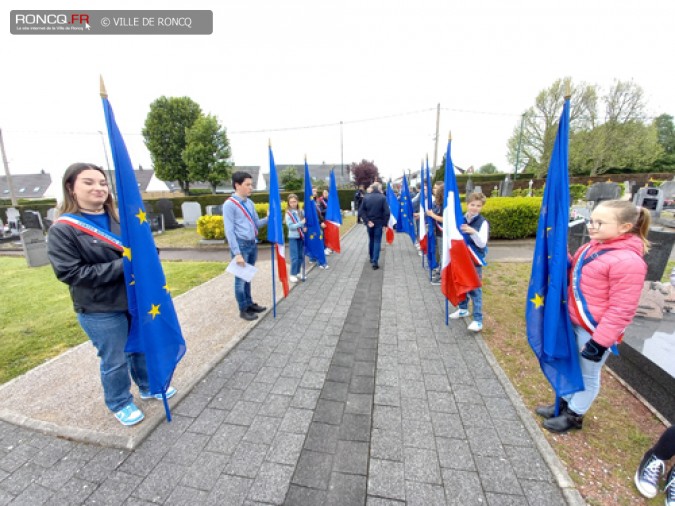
91 268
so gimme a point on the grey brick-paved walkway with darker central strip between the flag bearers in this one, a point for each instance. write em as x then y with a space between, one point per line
357 393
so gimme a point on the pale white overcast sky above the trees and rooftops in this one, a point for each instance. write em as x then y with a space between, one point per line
298 63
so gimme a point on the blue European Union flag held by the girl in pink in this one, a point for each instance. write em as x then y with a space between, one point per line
549 329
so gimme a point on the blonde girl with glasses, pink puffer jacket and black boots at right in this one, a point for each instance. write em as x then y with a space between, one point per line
606 280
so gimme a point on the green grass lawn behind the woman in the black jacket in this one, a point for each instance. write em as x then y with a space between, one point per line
36 313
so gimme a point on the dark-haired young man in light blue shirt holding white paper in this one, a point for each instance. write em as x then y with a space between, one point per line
241 229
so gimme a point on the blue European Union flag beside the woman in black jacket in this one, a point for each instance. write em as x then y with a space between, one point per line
155 330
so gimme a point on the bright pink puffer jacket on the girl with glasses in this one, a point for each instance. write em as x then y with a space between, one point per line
611 284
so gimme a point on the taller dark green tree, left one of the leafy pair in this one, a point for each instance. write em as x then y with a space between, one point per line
164 134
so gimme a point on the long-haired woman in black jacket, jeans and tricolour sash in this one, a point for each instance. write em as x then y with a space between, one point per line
85 251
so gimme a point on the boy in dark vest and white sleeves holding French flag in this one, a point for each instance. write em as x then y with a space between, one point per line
476 231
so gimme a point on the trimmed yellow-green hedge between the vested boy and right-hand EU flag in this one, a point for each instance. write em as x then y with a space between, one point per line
512 217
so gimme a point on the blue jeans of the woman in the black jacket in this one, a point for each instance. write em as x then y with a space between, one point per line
108 333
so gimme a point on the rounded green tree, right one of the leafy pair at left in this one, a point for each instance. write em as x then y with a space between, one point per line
207 154
